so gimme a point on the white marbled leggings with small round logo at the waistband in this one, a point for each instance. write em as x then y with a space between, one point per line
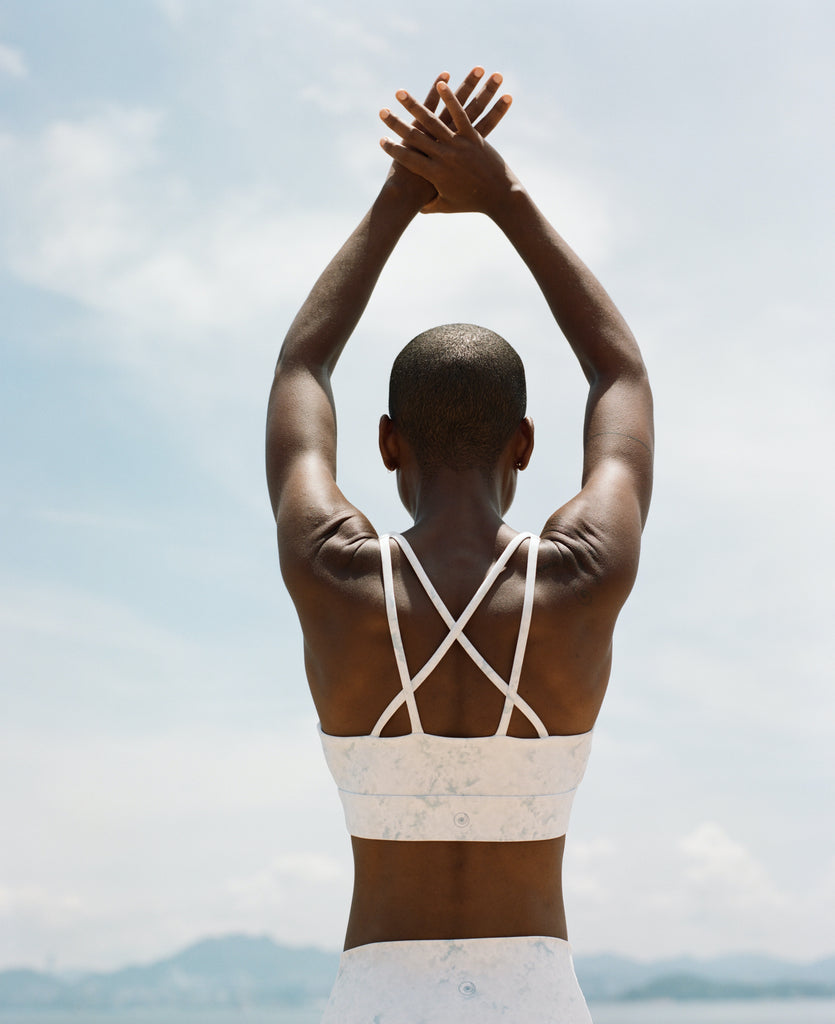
525 979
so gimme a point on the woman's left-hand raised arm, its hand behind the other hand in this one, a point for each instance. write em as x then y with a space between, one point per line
302 421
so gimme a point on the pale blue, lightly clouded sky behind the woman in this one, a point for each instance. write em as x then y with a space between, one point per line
174 176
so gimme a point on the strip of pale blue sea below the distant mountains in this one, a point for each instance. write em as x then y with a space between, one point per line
660 1012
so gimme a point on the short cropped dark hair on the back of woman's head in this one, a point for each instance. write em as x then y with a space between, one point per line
457 394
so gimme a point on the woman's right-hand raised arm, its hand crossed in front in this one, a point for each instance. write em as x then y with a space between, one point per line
470 175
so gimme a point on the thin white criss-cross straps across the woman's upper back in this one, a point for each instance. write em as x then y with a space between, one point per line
456 634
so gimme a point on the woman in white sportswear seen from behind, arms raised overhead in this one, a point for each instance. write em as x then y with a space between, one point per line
457 671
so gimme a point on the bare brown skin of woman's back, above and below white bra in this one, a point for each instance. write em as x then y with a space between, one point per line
477 889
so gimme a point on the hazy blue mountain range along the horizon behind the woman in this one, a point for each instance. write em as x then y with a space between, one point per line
247 971
